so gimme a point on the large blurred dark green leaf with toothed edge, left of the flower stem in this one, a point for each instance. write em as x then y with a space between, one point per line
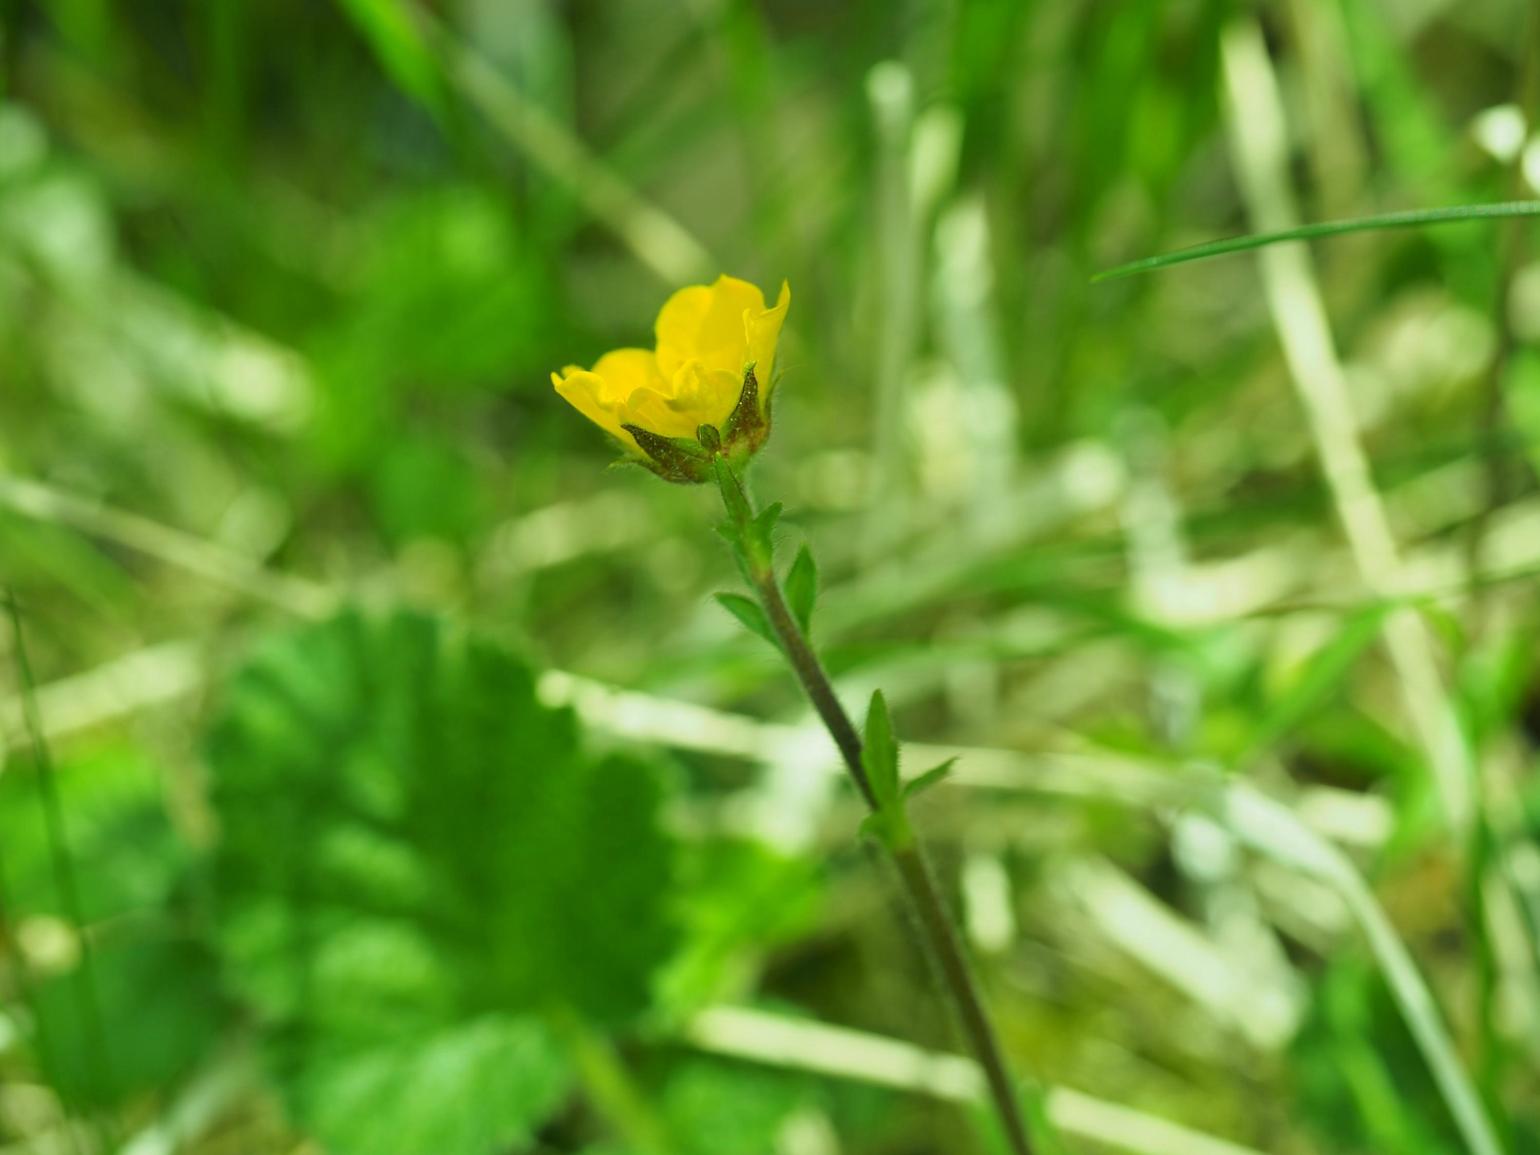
412 848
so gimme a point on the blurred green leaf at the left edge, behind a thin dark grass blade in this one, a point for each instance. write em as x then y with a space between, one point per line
147 966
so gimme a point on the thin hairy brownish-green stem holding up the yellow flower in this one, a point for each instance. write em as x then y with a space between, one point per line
937 925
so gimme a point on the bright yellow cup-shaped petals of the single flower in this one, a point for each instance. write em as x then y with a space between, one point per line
708 338
